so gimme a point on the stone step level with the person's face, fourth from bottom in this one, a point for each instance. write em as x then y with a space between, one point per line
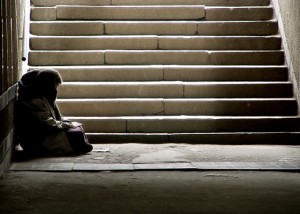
178 89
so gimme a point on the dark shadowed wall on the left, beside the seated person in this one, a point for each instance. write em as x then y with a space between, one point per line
11 67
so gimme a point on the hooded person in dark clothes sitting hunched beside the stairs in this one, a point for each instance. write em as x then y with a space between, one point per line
40 125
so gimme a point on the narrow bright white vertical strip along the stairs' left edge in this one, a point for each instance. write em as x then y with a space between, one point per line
26 22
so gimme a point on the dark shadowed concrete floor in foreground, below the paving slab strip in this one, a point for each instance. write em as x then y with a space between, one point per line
150 192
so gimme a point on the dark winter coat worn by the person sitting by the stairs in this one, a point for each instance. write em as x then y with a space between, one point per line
41 127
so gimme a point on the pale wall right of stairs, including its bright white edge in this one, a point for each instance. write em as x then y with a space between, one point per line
288 15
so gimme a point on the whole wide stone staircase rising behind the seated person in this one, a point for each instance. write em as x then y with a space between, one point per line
202 71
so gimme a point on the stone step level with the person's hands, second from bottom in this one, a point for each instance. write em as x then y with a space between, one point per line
187 124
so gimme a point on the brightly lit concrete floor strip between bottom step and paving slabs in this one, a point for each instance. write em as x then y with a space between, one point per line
173 153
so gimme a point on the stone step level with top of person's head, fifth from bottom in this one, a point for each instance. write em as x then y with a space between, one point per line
171 73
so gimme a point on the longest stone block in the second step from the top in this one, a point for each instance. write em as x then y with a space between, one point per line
131 12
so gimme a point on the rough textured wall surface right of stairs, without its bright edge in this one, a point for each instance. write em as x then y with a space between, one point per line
290 14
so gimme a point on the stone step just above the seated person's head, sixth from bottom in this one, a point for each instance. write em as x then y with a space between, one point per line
155 57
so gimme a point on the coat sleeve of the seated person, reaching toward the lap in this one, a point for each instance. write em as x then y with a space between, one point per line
38 110
